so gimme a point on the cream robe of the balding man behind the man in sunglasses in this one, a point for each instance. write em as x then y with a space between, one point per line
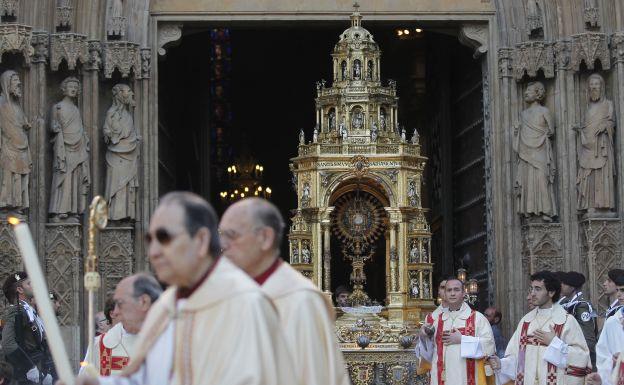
307 320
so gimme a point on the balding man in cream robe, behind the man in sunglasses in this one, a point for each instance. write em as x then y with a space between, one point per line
251 233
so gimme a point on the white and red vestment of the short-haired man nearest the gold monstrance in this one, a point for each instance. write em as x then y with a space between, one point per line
455 356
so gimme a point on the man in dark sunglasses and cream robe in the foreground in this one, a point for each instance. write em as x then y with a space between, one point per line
213 325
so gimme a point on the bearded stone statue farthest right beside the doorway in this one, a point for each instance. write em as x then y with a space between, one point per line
596 172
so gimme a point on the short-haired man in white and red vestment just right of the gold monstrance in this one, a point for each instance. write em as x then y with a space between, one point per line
462 338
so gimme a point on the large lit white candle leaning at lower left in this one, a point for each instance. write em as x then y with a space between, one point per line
40 289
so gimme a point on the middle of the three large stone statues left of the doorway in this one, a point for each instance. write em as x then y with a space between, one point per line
71 174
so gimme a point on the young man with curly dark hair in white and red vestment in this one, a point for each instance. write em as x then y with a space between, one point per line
548 346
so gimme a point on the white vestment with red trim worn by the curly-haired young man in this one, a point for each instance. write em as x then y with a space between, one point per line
567 351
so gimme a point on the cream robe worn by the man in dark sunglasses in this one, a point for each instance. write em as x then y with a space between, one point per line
226 332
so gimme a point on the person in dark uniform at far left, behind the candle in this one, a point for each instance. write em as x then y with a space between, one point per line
23 335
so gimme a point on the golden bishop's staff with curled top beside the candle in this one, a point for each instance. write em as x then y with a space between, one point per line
98 218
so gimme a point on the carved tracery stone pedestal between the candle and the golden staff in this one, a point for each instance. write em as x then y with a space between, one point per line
62 266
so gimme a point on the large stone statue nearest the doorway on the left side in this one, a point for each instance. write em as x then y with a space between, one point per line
122 155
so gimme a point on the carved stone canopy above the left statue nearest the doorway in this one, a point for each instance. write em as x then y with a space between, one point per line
124 56
